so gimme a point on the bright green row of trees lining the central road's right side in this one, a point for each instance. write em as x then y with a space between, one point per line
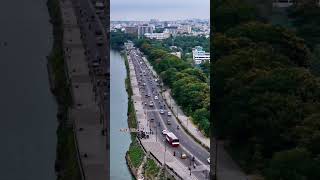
189 85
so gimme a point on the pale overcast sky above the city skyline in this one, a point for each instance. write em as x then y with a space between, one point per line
159 9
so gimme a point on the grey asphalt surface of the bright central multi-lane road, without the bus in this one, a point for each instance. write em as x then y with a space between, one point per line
149 88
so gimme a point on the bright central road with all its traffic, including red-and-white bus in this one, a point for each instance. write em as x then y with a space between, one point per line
163 123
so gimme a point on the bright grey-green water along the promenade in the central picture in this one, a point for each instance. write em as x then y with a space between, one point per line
119 141
